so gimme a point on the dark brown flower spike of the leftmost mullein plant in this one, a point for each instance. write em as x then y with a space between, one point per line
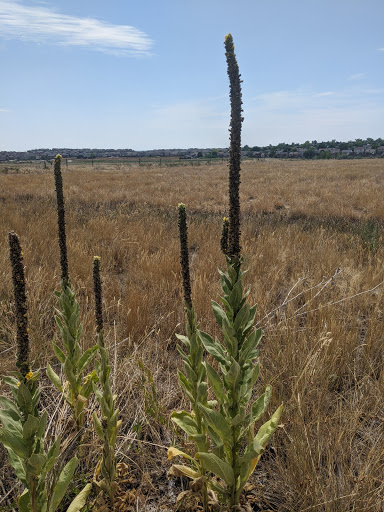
16 257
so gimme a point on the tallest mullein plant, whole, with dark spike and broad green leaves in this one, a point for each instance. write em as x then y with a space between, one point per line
236 447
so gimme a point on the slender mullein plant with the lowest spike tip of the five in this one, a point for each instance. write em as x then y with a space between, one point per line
107 426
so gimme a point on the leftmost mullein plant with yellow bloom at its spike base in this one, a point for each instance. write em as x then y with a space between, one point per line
23 429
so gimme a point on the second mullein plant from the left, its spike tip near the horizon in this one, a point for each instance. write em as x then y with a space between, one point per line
75 386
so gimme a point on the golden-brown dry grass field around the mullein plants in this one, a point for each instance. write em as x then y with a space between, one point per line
312 241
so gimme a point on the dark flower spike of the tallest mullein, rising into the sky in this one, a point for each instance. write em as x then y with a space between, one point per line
234 150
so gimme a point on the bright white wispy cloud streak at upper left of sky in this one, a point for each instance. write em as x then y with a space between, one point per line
43 25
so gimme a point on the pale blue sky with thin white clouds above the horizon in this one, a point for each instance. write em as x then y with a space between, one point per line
151 74
